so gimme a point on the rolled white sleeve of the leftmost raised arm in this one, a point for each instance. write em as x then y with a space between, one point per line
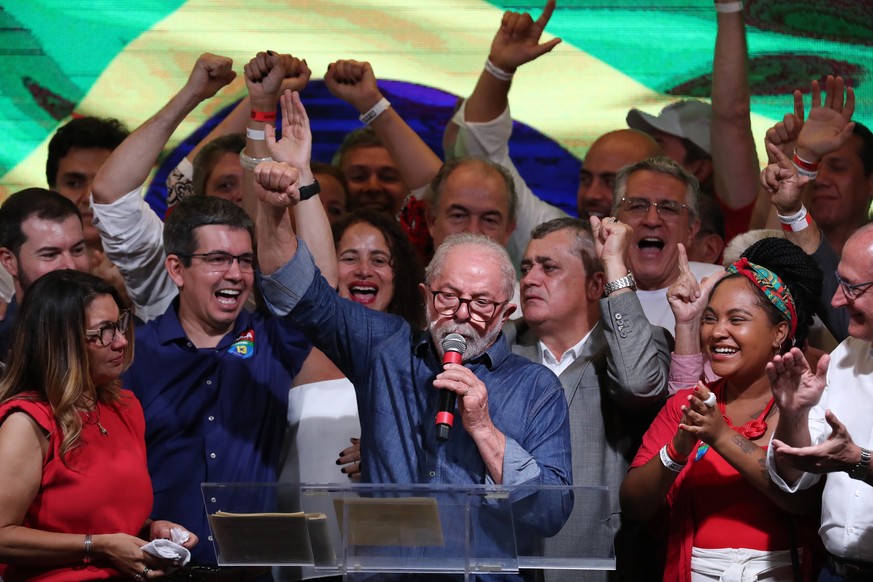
132 236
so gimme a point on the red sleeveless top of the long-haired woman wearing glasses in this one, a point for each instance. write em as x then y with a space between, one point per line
105 489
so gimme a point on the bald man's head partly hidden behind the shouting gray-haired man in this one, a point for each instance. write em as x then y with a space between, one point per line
607 155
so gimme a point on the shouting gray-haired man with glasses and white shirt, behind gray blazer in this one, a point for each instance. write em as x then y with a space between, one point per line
657 198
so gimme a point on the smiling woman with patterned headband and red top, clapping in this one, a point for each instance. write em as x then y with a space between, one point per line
702 463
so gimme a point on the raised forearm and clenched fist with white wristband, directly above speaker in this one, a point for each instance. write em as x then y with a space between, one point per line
355 83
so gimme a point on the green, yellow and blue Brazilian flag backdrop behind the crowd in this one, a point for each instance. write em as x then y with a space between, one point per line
125 59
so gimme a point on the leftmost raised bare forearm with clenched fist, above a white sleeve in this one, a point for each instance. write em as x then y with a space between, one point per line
130 163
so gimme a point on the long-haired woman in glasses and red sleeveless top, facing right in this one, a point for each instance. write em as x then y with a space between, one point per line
75 493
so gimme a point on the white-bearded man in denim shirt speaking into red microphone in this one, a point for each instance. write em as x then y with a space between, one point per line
513 426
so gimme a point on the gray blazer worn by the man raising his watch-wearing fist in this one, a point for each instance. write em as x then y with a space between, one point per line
614 389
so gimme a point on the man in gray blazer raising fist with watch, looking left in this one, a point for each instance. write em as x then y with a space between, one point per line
582 319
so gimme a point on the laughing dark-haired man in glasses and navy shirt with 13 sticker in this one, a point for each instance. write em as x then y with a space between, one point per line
212 378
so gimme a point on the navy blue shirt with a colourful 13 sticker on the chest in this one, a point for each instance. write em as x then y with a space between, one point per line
213 414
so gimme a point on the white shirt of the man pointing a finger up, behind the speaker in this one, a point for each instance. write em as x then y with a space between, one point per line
490 140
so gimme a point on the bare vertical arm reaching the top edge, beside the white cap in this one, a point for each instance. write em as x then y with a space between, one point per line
735 161
